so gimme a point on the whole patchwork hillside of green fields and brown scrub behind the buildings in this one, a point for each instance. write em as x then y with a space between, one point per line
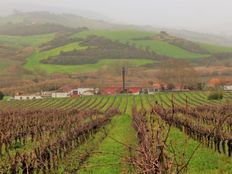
75 53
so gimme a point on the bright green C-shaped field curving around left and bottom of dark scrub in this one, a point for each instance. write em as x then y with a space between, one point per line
34 61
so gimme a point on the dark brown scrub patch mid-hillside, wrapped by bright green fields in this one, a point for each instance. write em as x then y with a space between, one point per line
99 48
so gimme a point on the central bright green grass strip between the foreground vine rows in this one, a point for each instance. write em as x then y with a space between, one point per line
112 156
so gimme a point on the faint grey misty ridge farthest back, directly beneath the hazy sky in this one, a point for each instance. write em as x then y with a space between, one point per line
74 21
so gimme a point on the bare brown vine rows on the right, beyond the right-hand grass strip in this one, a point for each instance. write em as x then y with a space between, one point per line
211 127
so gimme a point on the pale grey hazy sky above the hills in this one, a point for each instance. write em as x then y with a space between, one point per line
186 14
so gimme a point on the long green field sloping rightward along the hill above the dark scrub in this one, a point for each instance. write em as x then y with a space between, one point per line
157 46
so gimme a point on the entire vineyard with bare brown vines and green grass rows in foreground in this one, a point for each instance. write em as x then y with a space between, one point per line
161 133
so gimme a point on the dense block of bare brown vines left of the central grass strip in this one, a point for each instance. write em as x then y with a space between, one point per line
54 132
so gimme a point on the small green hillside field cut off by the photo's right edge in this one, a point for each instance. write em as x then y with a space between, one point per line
215 48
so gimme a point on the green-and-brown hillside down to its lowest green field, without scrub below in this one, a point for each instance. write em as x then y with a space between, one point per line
72 51
